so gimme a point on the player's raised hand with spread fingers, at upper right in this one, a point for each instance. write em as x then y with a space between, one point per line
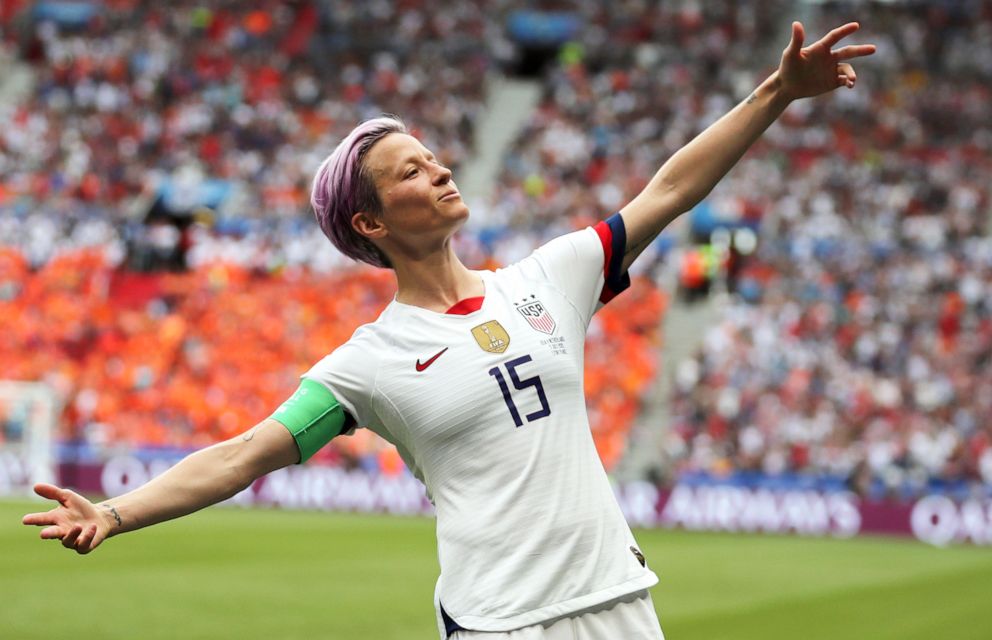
809 71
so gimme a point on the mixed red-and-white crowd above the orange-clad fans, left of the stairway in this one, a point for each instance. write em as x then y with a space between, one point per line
219 104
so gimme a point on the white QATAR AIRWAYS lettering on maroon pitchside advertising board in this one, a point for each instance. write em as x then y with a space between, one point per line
937 520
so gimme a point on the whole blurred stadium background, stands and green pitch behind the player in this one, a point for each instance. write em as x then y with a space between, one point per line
806 353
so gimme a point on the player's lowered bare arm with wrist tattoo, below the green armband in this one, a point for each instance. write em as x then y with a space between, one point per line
203 478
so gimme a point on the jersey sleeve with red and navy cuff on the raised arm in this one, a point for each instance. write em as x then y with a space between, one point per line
585 265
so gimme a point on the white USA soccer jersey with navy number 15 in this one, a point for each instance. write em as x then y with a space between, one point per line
487 408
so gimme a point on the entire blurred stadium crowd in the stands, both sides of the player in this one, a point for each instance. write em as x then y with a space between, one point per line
859 337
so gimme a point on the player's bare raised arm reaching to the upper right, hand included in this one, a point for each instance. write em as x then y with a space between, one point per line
689 175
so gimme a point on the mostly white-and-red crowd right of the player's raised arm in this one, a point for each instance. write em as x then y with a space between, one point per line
859 343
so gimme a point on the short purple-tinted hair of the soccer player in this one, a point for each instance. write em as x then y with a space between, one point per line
343 186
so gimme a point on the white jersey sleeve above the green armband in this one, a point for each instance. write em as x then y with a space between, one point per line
349 373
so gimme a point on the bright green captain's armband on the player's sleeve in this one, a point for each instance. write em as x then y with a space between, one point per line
313 416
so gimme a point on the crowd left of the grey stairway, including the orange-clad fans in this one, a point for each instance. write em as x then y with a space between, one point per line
230 107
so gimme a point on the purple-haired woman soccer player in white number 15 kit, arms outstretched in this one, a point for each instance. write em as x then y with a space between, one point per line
476 377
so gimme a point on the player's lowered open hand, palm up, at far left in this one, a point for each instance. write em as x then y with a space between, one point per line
77 522
